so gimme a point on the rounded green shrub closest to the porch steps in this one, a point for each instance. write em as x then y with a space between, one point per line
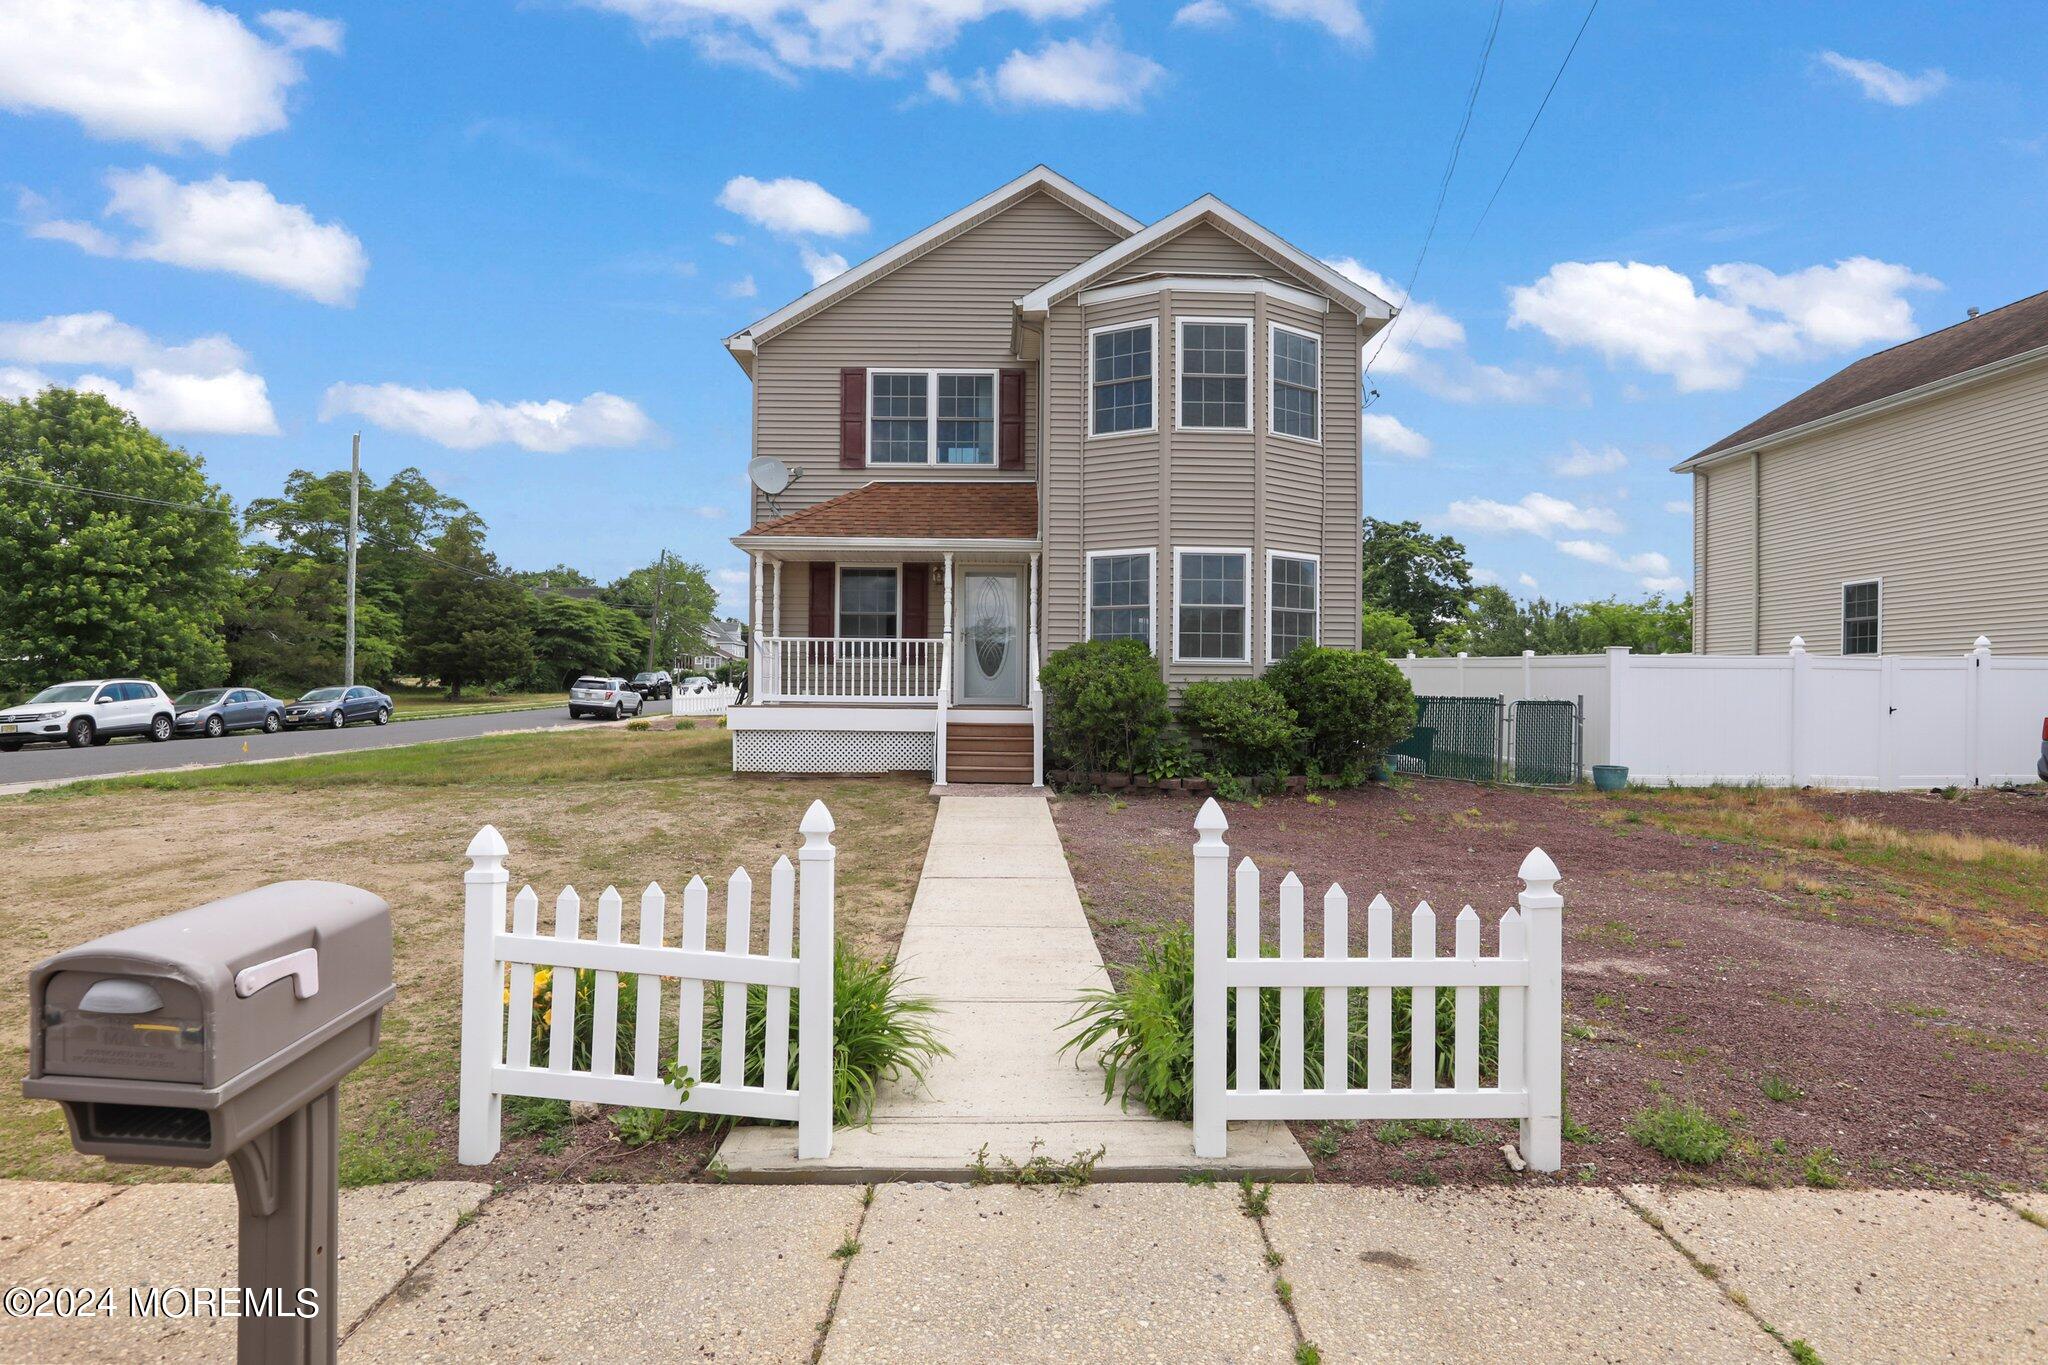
1105 707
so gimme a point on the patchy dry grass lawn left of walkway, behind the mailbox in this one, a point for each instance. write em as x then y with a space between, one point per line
581 807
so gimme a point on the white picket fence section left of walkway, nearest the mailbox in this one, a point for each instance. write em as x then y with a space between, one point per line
499 971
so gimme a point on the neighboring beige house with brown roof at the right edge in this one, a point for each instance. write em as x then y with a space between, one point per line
1895 509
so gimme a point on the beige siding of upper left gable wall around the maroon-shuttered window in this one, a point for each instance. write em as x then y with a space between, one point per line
943 310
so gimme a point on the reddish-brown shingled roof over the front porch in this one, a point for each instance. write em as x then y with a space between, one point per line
910 511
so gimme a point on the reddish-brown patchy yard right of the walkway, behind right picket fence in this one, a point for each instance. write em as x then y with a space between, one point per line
1854 987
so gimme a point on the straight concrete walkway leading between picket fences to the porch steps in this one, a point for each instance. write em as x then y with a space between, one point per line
998 936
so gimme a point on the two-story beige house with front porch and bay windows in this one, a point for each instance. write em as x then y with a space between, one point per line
1039 423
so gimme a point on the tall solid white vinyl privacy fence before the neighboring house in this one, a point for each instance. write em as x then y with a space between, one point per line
1795 719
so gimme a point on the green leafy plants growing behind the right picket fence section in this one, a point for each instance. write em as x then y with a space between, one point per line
1146 1030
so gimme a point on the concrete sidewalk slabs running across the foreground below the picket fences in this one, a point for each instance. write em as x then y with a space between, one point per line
1105 1274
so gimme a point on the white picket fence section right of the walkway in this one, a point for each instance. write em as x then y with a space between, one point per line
1529 971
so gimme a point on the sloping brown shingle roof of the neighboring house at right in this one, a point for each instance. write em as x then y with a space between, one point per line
1940 359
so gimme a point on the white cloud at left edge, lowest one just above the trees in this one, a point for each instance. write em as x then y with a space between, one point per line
202 386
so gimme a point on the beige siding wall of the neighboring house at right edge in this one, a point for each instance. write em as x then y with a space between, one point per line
1945 500
